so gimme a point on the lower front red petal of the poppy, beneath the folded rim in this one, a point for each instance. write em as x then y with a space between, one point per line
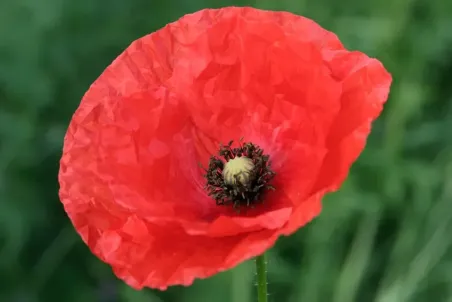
161 261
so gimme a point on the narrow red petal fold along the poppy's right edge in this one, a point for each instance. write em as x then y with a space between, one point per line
366 85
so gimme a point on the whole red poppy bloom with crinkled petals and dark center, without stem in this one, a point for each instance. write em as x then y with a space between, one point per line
130 179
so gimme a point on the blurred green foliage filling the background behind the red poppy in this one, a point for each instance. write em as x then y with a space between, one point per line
384 237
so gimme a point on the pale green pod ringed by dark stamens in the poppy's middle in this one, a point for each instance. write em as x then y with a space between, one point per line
239 176
